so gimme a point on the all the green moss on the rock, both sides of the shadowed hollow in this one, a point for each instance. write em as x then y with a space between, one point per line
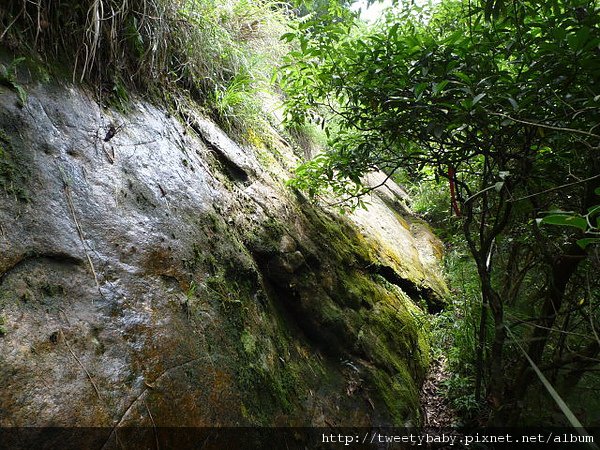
371 319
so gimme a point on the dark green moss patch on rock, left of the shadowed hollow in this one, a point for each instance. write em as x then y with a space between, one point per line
268 386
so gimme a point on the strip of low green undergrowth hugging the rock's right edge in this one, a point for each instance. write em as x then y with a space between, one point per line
453 330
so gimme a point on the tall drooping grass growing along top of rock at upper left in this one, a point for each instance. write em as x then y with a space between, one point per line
220 51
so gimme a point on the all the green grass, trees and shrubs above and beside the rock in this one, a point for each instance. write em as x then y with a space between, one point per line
488 112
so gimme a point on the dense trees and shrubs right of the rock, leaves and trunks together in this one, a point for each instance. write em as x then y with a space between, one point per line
502 102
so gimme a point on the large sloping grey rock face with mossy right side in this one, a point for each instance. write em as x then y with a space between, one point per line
157 274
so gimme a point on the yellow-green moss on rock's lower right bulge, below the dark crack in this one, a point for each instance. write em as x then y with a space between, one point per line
391 332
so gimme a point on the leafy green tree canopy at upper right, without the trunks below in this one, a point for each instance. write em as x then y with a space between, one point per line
453 93
